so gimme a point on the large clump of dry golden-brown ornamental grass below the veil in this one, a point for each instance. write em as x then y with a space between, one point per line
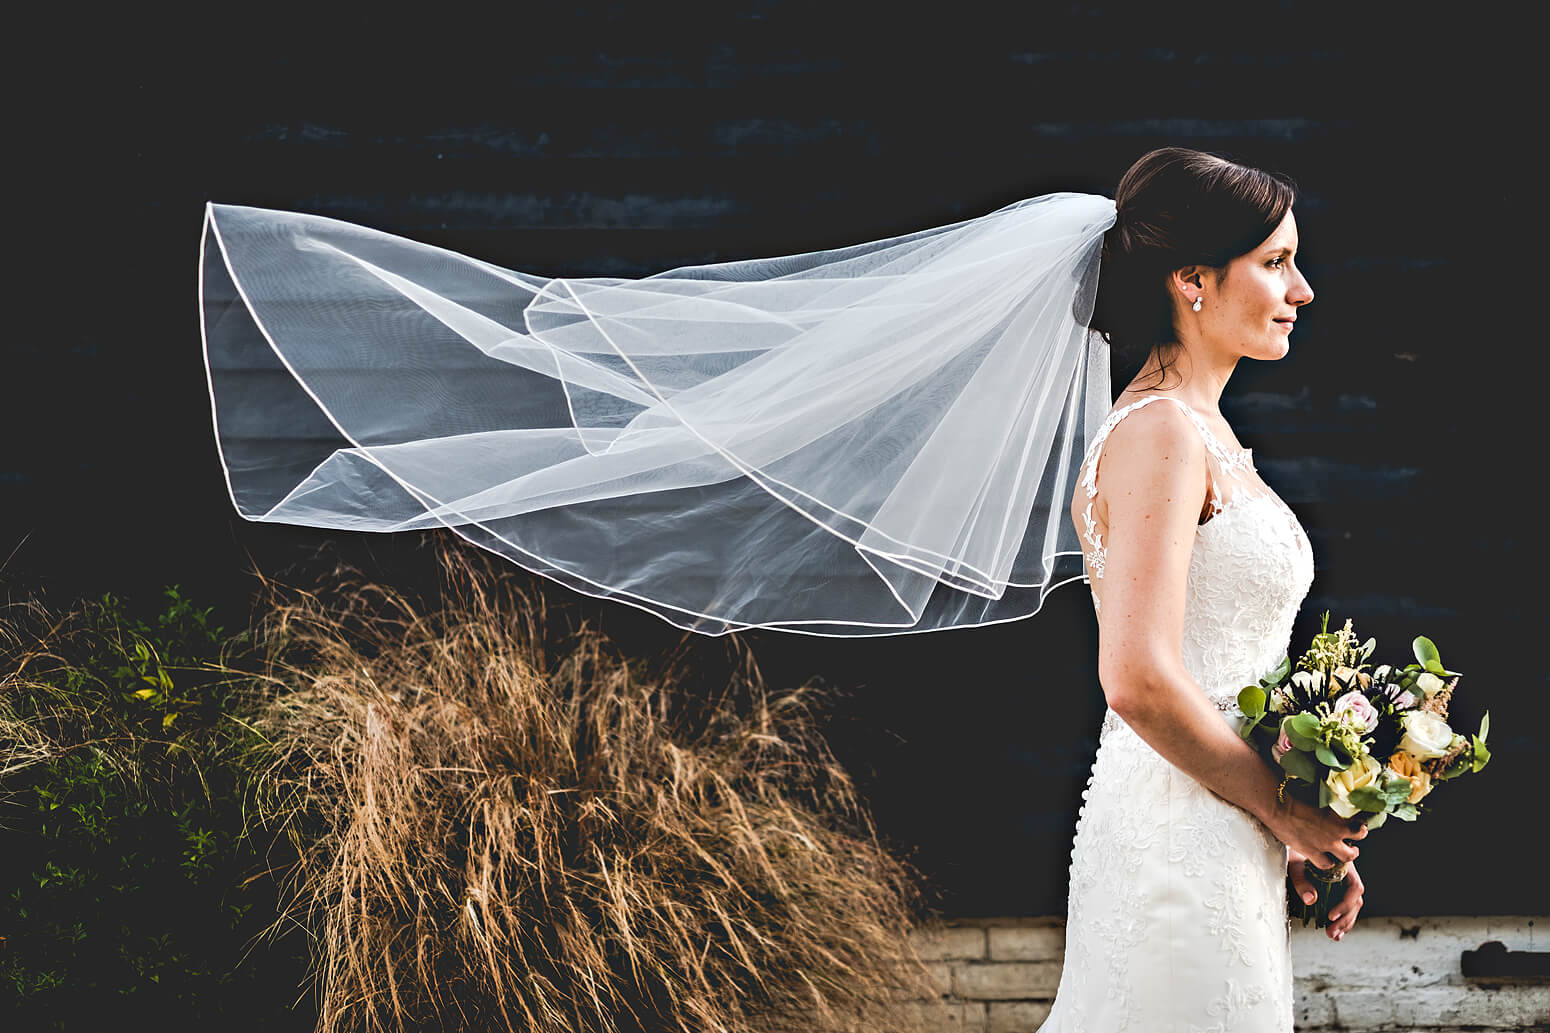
506 834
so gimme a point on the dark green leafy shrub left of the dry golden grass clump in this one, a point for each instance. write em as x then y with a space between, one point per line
131 886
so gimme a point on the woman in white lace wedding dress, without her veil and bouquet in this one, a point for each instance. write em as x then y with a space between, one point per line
1177 914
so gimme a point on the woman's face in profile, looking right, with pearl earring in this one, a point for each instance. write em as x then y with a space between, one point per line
1253 308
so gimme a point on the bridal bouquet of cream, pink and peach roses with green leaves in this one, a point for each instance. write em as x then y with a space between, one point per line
1363 742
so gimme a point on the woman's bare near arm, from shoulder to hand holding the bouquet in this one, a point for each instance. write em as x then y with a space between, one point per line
1154 480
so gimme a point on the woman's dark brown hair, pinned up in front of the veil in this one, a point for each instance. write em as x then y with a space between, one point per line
1176 207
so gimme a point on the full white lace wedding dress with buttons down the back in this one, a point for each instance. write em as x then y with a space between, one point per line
1177 914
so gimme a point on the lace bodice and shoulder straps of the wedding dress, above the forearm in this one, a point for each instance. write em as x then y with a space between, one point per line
1249 572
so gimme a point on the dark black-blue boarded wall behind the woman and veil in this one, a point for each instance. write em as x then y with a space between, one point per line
630 139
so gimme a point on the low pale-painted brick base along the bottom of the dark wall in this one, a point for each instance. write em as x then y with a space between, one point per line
1386 976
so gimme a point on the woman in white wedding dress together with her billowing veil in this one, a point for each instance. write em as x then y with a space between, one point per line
875 440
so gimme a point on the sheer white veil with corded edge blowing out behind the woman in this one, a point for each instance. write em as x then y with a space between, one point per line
873 440
